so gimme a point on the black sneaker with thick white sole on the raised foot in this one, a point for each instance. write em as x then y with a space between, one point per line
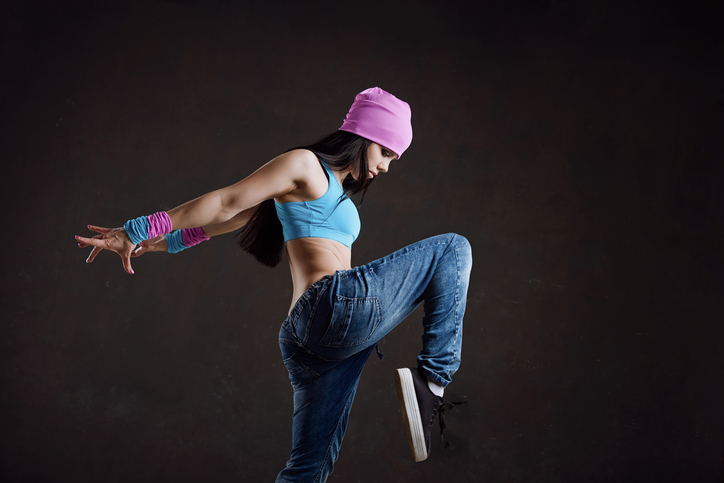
419 407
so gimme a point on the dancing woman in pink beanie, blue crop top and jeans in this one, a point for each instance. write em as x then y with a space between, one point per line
299 201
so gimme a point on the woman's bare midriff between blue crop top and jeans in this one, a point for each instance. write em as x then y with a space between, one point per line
311 259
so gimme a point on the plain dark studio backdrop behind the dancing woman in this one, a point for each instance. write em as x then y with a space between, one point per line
577 144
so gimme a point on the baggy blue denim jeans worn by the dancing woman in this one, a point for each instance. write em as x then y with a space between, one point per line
335 325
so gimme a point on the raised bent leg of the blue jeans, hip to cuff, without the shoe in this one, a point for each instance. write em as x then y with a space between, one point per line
367 302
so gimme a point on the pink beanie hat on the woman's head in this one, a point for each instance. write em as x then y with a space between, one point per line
382 118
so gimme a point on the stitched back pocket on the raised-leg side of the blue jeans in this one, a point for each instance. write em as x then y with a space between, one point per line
354 321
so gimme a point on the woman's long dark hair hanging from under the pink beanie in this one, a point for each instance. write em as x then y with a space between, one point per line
262 236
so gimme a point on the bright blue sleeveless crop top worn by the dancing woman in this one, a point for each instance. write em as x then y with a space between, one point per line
325 217
